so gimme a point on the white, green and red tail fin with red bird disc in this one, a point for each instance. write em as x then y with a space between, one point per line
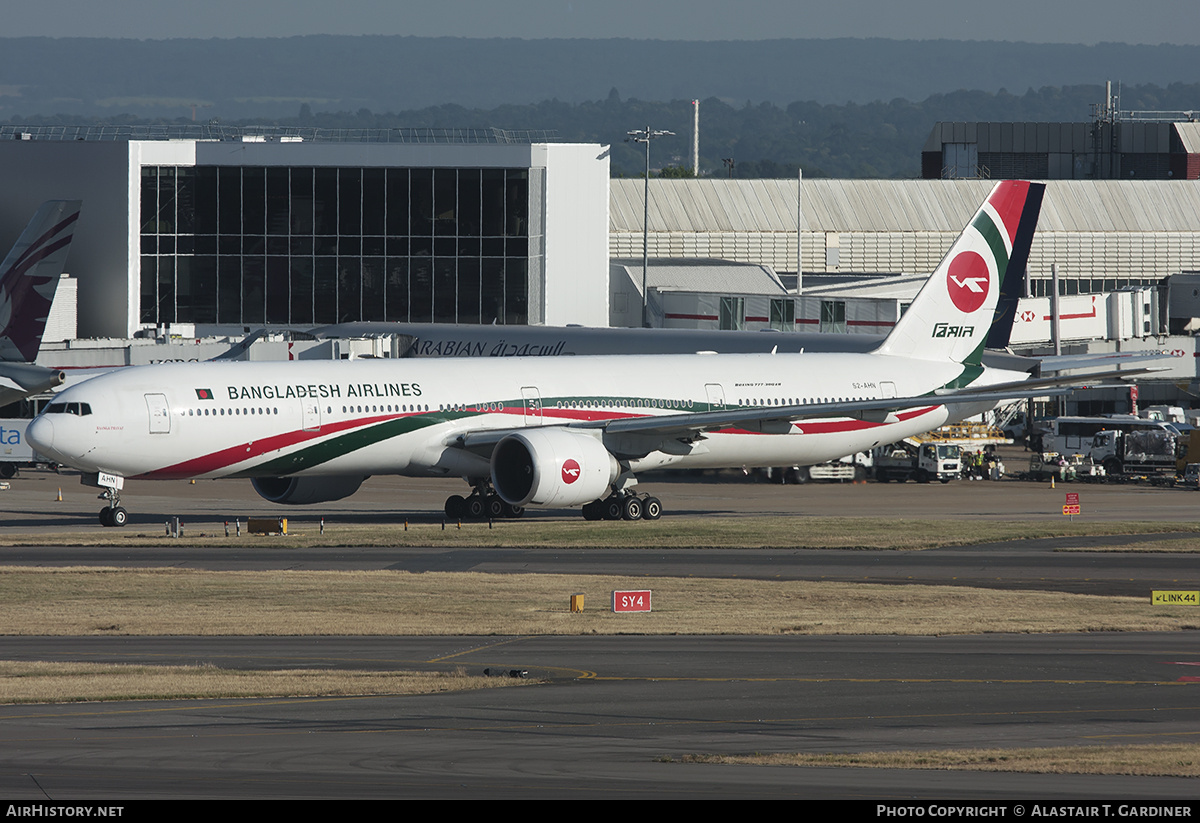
953 315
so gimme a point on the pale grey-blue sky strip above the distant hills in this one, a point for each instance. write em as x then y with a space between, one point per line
1033 21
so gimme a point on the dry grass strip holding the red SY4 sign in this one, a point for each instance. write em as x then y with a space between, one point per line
295 603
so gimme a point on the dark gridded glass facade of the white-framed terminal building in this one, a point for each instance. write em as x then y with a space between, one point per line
308 247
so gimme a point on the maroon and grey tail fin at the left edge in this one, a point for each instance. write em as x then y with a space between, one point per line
29 277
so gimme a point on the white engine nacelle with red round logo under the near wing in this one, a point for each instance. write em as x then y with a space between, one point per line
553 467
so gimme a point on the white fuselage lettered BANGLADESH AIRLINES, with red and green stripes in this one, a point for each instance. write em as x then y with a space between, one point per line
405 417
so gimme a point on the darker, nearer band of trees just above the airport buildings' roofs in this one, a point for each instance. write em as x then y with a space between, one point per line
880 140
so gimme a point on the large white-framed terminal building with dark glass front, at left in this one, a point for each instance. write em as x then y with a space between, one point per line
271 229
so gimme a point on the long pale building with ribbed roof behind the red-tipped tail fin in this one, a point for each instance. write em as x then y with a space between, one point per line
1105 235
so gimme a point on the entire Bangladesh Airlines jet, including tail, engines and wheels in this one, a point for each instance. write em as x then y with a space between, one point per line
547 431
